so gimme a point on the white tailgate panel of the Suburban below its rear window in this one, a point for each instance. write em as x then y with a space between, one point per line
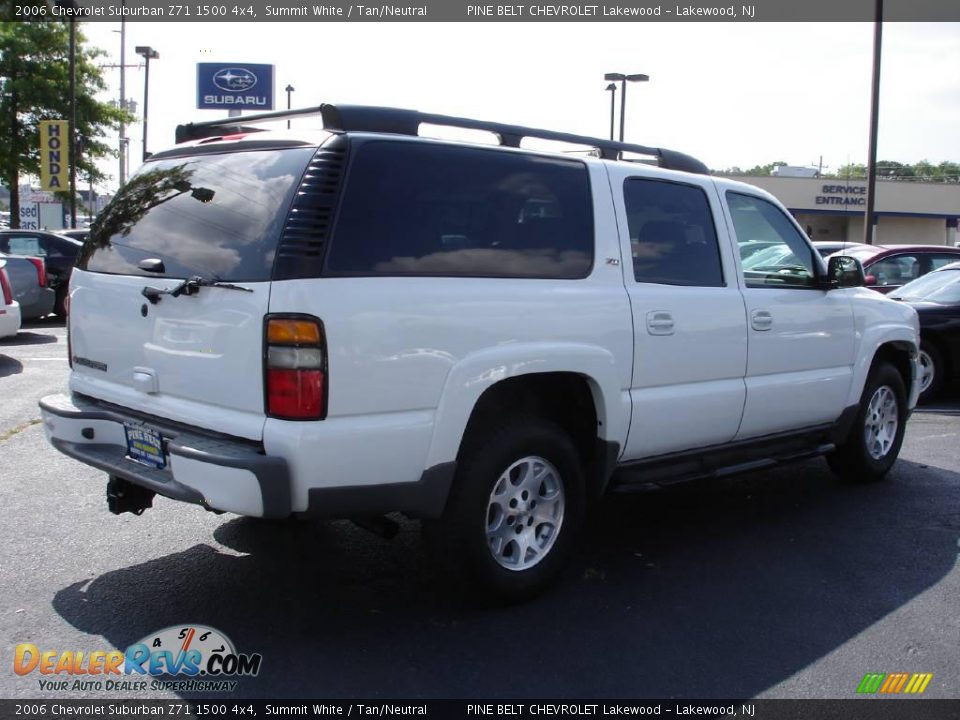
196 360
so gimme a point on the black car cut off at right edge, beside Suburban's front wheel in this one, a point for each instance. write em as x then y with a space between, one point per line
936 298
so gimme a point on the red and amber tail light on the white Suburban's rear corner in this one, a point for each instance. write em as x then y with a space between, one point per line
295 368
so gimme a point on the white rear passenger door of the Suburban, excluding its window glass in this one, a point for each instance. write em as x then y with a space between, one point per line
687 388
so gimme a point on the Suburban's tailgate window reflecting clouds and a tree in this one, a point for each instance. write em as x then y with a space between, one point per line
213 215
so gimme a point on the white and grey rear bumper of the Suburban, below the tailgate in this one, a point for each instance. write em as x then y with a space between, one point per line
218 473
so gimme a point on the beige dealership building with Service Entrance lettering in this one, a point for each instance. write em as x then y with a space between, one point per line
833 209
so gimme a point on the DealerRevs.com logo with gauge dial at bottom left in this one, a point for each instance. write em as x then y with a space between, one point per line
201 658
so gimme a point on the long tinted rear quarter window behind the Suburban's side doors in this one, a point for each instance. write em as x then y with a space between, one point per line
424 209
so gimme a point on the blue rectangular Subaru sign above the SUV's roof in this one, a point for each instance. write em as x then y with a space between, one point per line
234 86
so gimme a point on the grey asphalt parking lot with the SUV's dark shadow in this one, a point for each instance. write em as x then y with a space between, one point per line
775 584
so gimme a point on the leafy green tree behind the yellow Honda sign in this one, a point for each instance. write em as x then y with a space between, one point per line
35 77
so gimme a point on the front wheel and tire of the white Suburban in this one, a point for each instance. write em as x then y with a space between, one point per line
874 441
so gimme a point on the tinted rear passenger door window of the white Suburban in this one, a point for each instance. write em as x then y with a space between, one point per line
672 236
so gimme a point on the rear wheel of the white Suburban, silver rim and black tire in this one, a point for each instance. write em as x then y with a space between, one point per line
515 511
